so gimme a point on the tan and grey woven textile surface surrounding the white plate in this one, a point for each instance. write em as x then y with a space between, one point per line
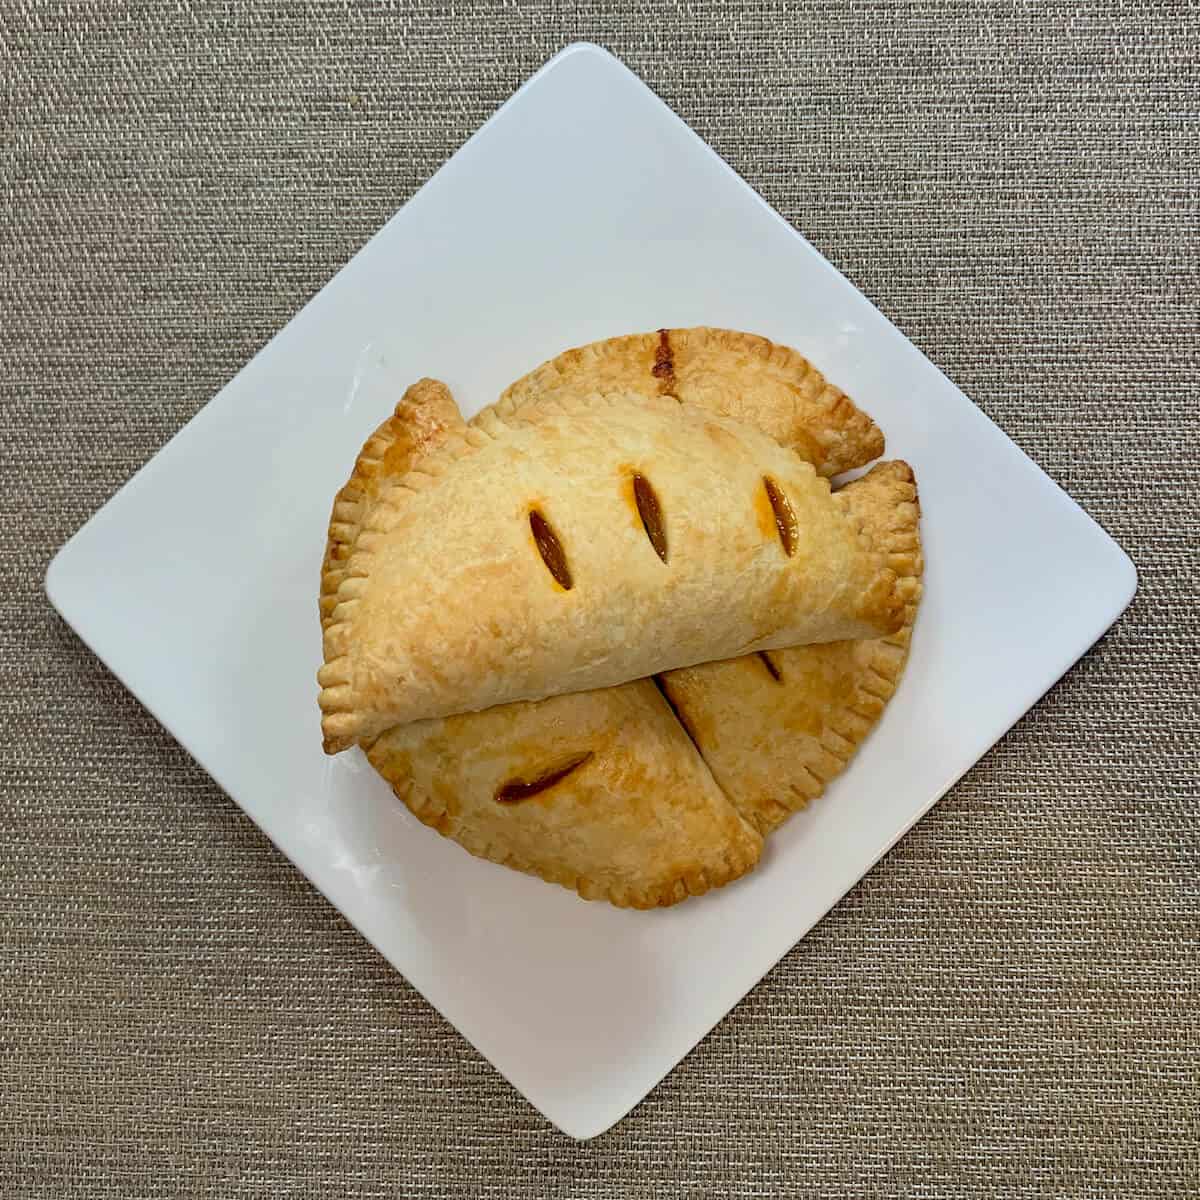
1006 1007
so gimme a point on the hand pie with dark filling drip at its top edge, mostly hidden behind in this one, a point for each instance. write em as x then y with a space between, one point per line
749 379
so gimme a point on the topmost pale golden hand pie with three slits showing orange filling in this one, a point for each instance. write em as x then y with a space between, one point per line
579 544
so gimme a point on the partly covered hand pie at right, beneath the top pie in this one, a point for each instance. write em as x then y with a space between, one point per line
776 728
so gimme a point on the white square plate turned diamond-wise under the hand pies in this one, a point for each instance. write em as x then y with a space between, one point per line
583 209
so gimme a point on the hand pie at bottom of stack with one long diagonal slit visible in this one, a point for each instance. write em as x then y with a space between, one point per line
601 793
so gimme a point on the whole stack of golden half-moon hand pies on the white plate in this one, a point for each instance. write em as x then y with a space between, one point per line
617 628
